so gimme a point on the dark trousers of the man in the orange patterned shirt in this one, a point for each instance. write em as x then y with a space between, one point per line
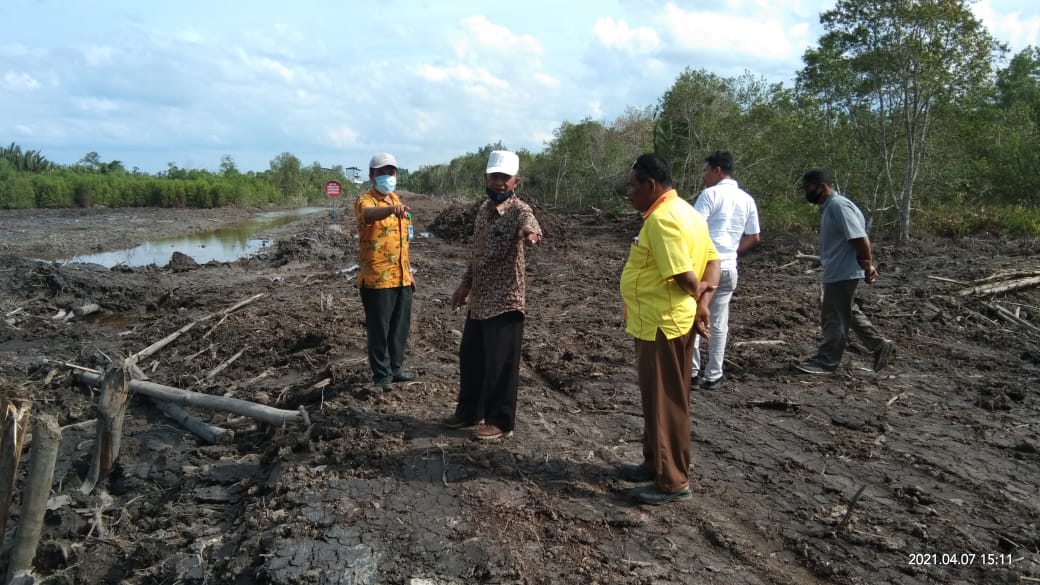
388 316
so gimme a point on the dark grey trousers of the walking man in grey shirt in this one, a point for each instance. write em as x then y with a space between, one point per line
839 314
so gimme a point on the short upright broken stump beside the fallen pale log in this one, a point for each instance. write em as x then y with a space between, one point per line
112 412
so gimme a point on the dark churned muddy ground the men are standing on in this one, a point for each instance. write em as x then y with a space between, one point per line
944 444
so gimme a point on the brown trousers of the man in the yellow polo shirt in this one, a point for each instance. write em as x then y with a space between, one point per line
664 368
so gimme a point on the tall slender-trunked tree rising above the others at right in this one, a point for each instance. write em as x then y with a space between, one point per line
883 67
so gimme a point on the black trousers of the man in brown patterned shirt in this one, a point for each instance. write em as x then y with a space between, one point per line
489 370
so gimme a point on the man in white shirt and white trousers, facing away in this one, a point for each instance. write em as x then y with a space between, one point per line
733 219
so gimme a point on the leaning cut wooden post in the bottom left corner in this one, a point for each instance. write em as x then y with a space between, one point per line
46 439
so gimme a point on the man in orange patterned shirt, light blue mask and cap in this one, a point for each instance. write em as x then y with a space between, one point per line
385 275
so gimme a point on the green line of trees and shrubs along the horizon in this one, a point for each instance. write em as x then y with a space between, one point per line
913 105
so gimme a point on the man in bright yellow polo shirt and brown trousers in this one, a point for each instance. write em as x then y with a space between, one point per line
667 285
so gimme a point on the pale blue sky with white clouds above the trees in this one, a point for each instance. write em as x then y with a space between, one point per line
187 83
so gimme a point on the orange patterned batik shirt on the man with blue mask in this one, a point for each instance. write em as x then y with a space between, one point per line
382 246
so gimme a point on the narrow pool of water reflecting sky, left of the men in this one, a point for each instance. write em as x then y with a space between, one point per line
223 245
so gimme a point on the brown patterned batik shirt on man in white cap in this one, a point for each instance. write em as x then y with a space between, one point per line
496 274
